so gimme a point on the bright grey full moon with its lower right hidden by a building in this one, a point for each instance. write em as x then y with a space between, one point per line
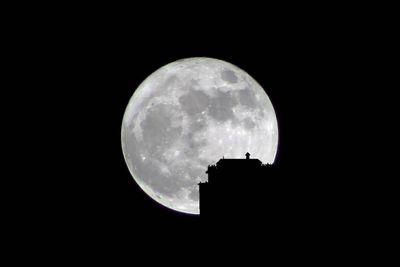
187 115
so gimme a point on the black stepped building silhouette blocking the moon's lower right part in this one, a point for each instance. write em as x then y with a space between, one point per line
236 187
